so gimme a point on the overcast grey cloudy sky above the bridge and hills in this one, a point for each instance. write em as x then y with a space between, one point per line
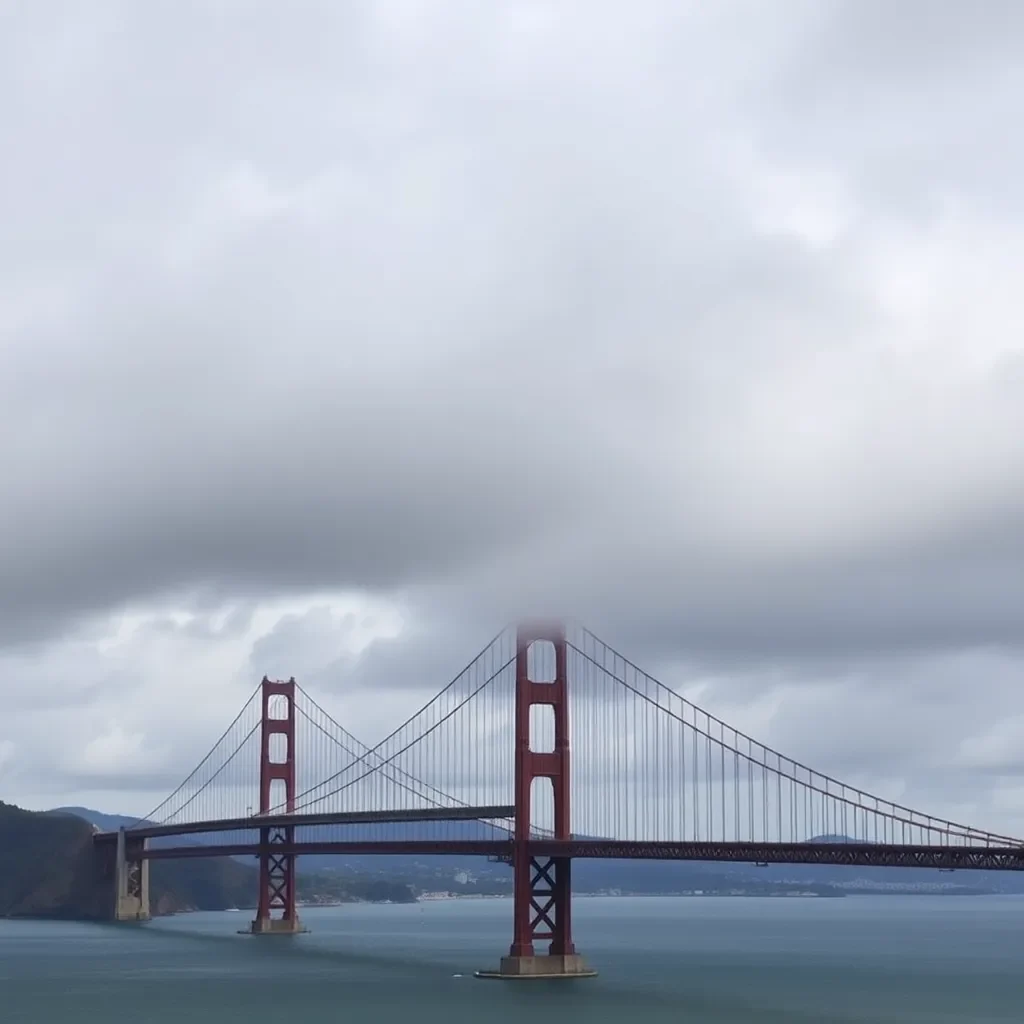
334 336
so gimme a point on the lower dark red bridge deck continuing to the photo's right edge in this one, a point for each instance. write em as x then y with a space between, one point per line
1008 859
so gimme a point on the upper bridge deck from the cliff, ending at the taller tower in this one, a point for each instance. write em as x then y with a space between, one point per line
255 822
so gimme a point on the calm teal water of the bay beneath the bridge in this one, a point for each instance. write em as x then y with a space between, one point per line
705 961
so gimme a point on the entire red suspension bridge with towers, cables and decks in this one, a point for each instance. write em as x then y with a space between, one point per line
548 747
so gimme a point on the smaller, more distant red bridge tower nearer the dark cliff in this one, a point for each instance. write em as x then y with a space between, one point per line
276 912
